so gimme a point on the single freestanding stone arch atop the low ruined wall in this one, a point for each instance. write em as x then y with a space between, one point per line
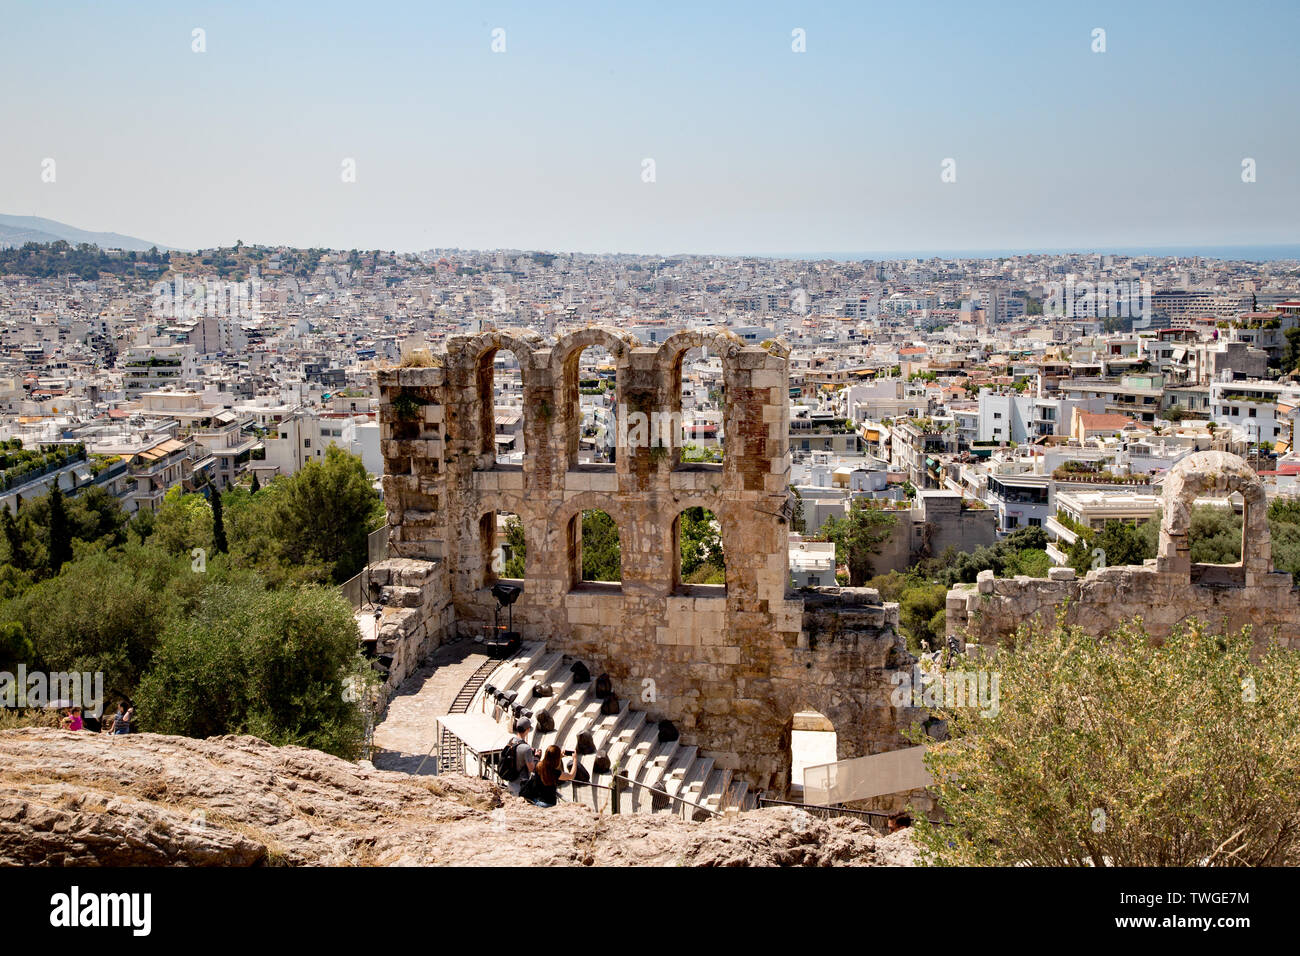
1214 471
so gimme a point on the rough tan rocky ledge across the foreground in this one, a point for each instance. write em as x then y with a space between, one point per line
146 799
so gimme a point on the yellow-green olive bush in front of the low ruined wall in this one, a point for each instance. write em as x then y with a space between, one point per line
1124 751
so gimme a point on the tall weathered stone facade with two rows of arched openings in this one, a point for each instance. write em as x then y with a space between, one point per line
729 664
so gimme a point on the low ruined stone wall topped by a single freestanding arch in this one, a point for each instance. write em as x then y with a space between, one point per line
1165 592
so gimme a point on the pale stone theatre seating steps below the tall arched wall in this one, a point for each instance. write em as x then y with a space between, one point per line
630 738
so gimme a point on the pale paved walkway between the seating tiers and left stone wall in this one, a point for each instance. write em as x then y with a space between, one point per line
409 730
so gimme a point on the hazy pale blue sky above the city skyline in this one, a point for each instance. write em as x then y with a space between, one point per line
757 149
